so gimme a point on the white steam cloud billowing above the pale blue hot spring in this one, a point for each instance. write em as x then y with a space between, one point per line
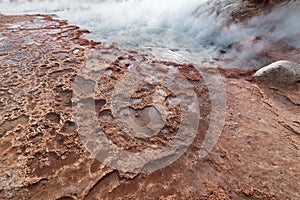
195 18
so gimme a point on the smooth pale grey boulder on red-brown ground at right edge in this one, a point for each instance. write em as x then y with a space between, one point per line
279 72
